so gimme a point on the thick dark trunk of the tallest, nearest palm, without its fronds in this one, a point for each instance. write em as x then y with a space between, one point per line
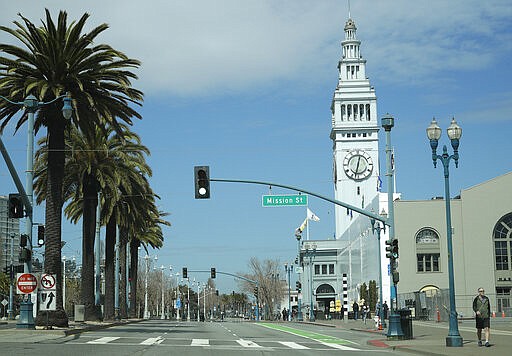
53 221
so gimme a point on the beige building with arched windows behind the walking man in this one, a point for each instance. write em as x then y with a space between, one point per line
482 249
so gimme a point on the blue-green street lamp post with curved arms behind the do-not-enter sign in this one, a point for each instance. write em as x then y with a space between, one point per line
31 105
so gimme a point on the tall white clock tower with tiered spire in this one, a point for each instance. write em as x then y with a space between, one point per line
354 134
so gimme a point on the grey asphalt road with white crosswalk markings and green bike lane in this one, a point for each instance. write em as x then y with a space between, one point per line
163 337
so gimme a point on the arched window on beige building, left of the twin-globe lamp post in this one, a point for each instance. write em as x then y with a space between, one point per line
427 251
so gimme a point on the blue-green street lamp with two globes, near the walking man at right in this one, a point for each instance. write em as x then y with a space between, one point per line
454 133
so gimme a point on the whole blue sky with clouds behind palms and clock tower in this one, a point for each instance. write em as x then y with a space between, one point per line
246 87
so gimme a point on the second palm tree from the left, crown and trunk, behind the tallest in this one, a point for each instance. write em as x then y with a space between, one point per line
102 162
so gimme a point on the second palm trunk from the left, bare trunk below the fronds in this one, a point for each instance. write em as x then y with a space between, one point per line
90 203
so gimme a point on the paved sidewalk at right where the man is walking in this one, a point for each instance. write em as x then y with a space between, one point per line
429 338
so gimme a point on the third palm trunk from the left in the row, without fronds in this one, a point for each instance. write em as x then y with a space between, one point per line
110 241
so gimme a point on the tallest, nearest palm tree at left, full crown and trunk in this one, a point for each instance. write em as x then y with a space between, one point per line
56 58
